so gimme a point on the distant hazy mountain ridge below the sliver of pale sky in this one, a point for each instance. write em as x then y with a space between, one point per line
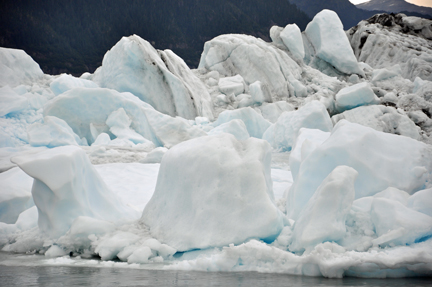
394 6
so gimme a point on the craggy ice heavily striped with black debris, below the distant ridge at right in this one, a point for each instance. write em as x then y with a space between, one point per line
383 46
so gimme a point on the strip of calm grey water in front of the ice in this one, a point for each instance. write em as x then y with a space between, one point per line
86 276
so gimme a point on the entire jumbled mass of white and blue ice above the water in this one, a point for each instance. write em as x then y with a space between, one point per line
303 156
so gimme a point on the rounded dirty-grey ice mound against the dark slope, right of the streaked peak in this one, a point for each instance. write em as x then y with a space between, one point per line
251 58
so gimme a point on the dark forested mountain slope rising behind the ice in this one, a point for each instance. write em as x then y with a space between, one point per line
73 35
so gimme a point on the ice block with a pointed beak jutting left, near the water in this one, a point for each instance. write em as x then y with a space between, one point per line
75 190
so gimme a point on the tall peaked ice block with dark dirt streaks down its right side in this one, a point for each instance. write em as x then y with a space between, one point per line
161 78
